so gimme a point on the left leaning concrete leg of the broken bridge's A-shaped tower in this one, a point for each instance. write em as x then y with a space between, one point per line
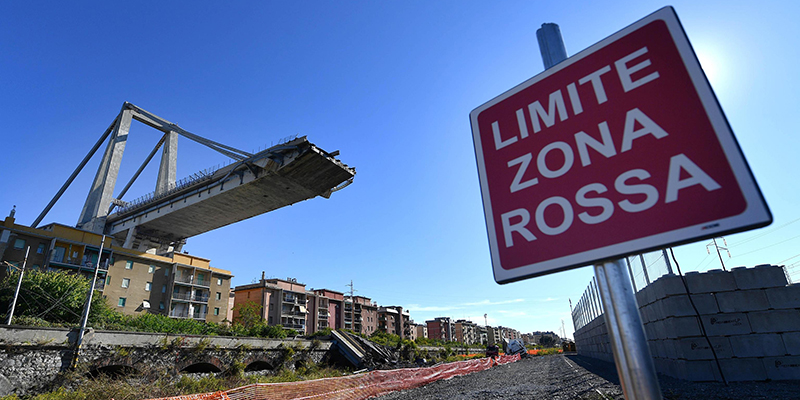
102 190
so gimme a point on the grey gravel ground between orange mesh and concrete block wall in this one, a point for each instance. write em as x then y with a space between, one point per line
561 377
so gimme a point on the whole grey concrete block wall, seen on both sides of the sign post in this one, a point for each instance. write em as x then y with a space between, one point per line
750 315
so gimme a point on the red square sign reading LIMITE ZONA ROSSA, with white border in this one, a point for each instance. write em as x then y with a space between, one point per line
621 148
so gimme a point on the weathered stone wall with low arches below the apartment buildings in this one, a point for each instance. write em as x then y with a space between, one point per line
32 358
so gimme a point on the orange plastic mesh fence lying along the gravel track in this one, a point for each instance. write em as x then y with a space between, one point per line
353 387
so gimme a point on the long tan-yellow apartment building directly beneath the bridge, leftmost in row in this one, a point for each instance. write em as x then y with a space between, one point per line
174 284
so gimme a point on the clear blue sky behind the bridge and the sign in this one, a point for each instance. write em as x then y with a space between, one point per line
390 84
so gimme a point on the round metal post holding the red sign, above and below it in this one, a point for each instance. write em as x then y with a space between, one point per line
637 373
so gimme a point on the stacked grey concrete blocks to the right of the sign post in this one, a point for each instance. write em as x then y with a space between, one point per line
750 317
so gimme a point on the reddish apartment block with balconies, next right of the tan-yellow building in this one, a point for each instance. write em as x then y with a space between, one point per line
282 301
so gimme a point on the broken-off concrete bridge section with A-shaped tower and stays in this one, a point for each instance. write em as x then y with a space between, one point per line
253 184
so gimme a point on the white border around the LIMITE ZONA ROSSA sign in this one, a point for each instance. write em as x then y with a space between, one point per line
756 214
